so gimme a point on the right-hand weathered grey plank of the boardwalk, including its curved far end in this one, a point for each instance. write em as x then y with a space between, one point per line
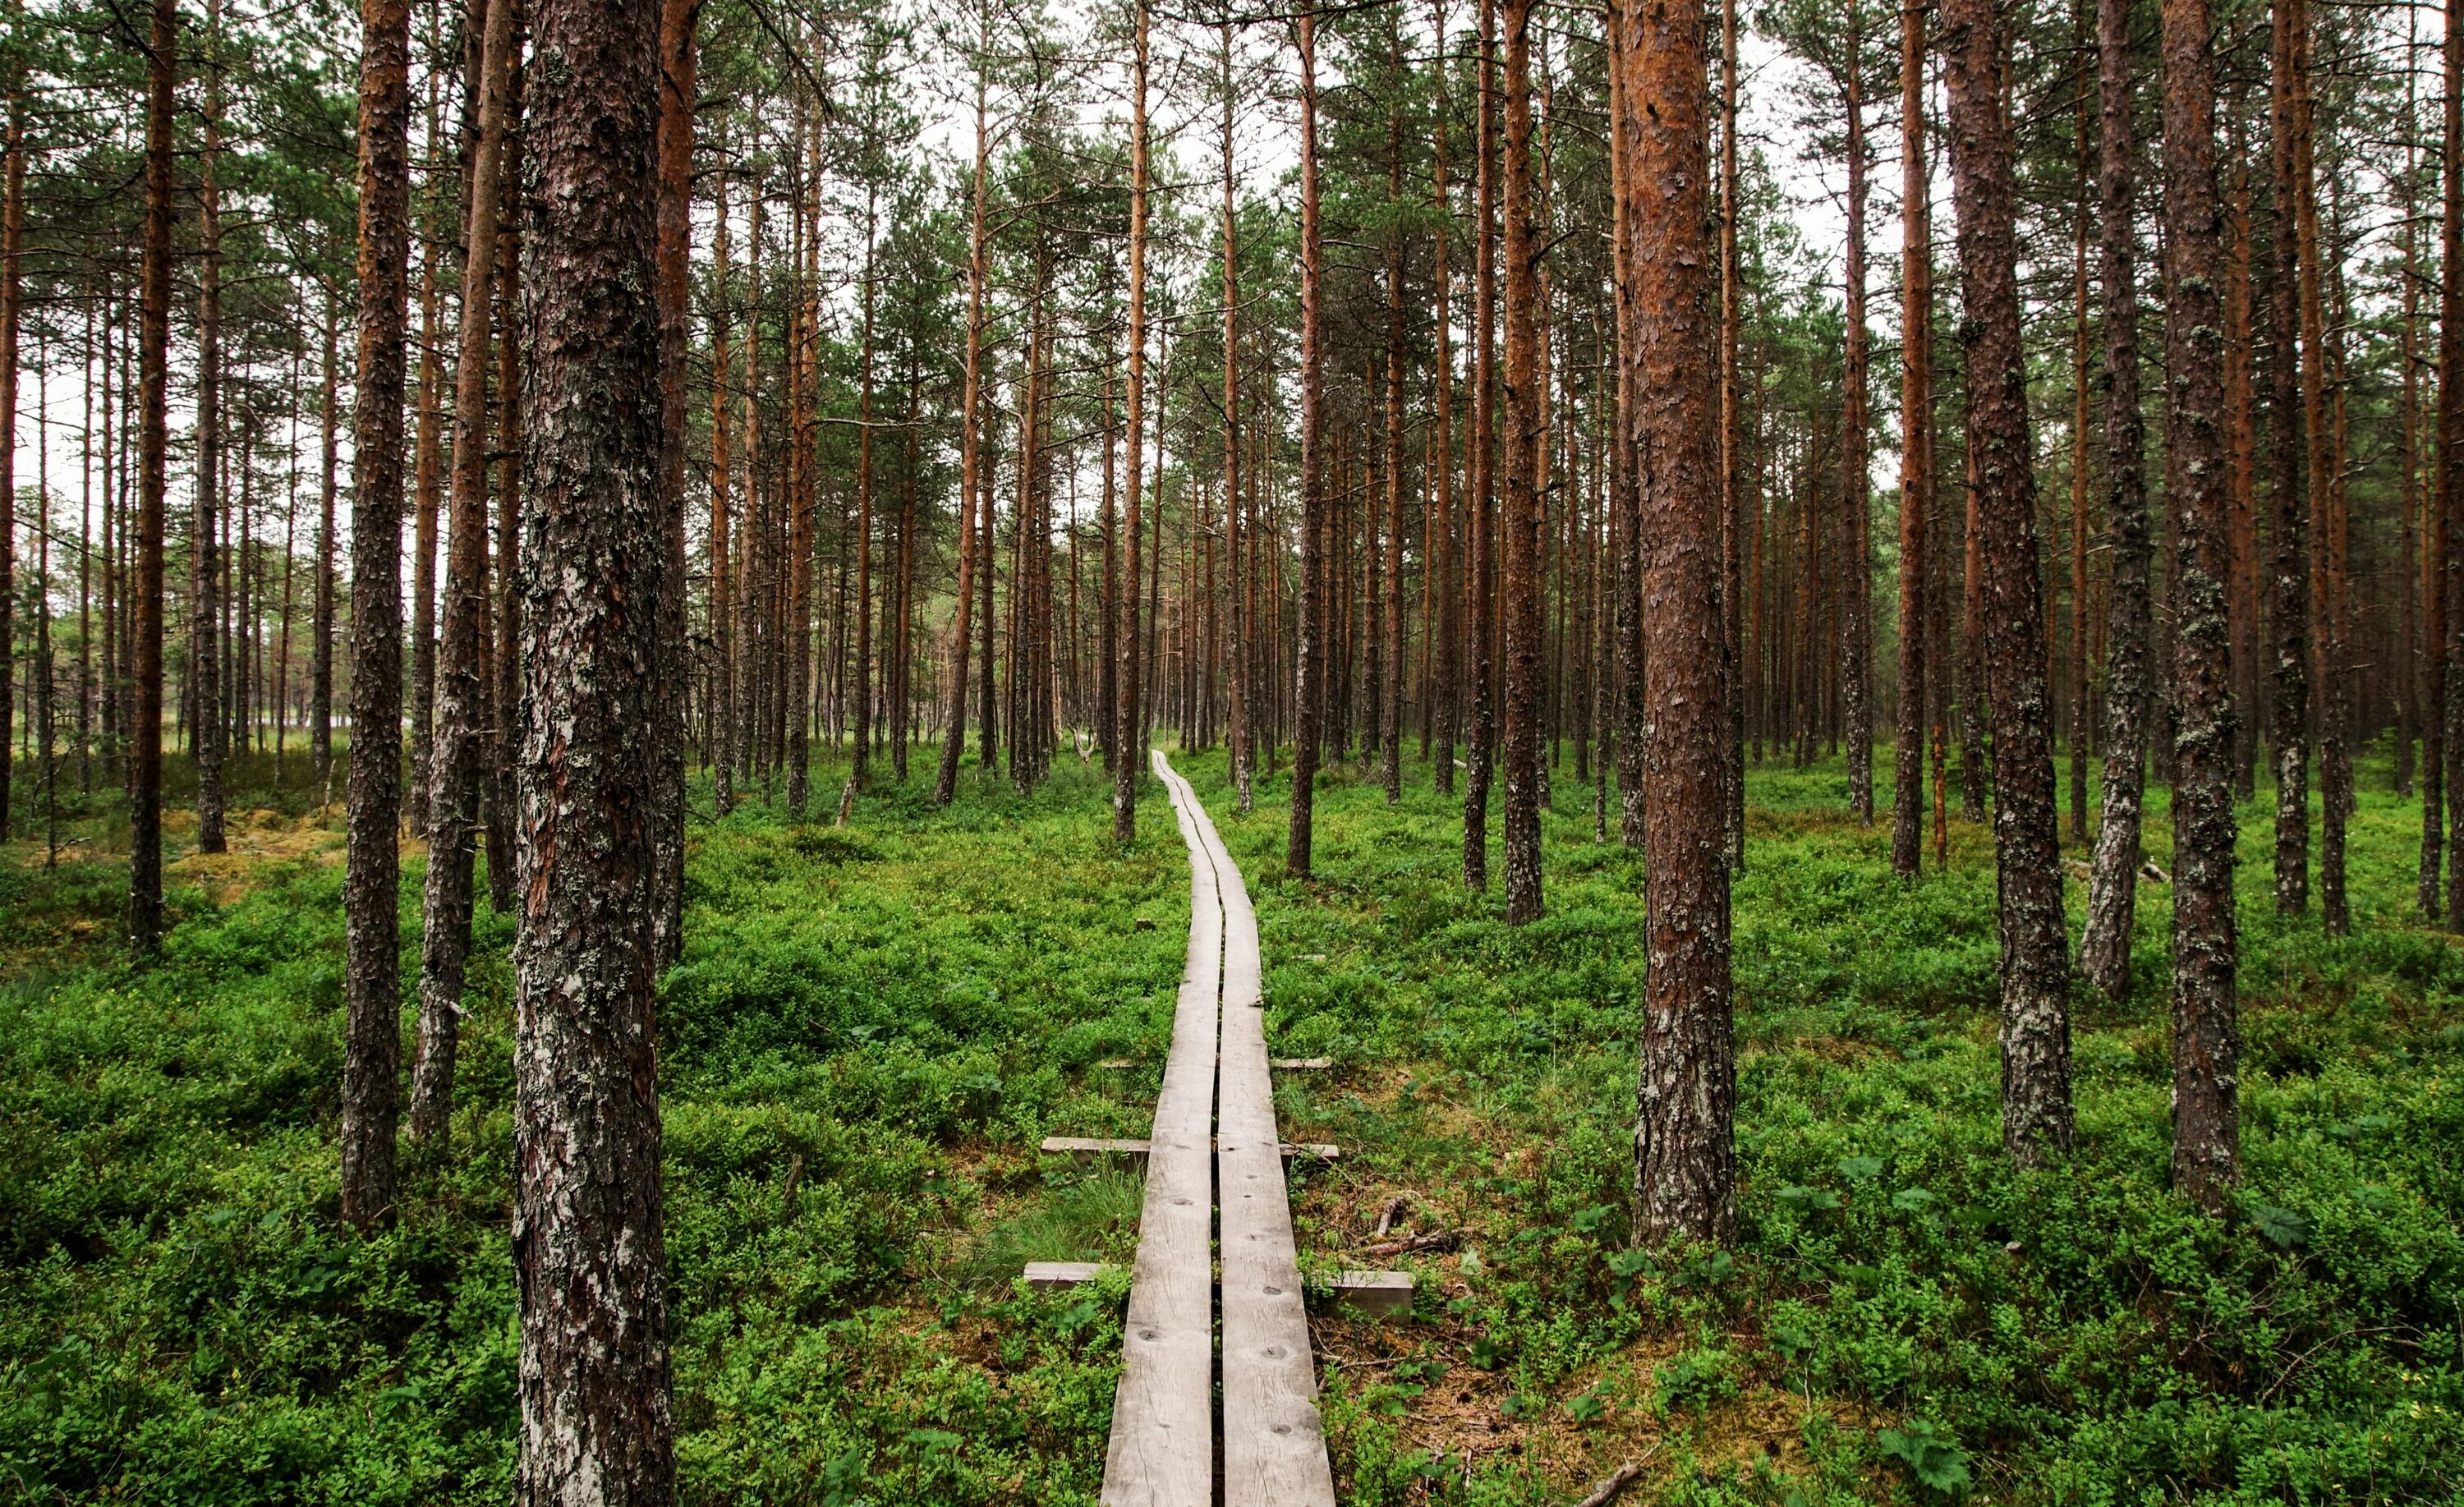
1275 1444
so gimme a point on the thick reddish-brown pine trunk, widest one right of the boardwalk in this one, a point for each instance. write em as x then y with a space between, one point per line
1684 1136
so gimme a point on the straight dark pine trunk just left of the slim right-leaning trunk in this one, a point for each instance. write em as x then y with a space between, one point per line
373 853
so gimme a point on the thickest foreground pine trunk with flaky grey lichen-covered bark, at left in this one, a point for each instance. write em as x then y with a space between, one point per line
588 1210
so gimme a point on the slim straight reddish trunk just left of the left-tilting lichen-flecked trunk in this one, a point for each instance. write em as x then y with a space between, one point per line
1916 444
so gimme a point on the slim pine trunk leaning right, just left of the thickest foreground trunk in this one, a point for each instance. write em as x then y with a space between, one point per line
462 688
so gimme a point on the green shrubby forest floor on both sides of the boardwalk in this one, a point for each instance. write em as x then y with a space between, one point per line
876 1026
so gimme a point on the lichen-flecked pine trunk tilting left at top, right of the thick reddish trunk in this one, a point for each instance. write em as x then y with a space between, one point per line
2027 848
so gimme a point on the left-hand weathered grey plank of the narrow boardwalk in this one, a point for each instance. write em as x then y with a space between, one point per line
1164 1410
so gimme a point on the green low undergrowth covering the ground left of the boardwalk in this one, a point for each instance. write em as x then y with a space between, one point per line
859 1053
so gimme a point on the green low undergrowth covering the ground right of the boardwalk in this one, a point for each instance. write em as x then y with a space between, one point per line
1903 1316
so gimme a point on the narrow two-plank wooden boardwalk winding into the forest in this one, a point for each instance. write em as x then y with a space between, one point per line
1273 1442
